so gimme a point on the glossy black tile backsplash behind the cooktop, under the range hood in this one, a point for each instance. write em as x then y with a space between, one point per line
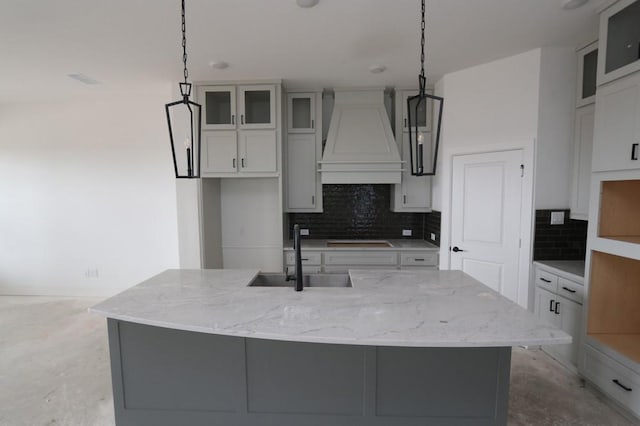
358 212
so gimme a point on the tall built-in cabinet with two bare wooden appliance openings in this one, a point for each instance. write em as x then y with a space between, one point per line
611 351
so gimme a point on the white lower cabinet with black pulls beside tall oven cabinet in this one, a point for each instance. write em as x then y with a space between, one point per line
553 307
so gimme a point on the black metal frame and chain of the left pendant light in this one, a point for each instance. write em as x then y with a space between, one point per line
195 114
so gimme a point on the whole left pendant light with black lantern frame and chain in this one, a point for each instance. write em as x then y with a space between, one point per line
184 117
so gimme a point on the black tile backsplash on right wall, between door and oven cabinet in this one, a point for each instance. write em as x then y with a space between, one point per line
559 242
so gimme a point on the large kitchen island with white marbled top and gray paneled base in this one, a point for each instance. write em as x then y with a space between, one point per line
397 348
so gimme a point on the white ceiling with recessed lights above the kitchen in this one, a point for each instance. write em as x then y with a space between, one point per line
135 44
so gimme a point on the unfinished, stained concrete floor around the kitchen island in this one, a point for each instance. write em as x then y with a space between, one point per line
54 370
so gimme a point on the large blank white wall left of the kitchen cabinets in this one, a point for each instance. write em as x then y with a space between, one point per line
86 189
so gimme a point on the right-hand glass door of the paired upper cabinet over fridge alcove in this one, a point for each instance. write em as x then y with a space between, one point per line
257 107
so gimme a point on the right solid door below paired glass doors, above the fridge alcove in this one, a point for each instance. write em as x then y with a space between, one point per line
258 151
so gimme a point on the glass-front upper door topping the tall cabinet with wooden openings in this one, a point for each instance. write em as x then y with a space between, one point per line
619 40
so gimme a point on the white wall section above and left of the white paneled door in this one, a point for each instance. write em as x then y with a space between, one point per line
486 107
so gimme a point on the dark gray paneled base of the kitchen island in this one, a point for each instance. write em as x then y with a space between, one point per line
173 377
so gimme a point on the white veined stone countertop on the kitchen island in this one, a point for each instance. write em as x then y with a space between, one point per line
383 308
